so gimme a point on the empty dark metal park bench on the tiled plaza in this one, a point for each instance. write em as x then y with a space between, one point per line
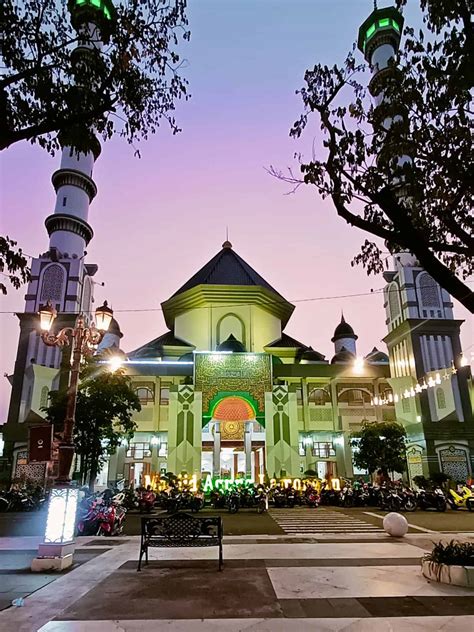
180 530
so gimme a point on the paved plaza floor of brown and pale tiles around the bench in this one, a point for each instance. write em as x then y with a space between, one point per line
343 577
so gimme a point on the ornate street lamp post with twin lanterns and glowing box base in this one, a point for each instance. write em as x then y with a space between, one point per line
55 553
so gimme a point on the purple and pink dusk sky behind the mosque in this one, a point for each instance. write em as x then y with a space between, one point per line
159 219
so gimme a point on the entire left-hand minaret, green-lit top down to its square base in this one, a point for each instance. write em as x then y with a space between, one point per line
61 274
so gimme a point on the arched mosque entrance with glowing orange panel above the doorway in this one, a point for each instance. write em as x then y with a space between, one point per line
233 427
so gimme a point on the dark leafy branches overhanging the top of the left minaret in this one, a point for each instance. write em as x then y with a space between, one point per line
134 79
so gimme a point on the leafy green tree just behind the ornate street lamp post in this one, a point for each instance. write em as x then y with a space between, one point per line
104 409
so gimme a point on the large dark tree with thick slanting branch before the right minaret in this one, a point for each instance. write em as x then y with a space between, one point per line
428 87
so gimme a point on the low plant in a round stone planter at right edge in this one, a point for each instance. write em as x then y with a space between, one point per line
450 563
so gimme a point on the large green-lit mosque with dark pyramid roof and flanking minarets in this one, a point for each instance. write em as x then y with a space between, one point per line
224 390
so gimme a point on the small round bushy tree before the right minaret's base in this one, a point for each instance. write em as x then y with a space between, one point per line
380 446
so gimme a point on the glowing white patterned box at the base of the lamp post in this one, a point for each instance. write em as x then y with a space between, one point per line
61 515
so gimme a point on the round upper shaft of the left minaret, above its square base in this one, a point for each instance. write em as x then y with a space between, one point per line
68 226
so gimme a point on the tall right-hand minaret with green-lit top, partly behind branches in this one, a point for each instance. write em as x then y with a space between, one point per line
423 341
